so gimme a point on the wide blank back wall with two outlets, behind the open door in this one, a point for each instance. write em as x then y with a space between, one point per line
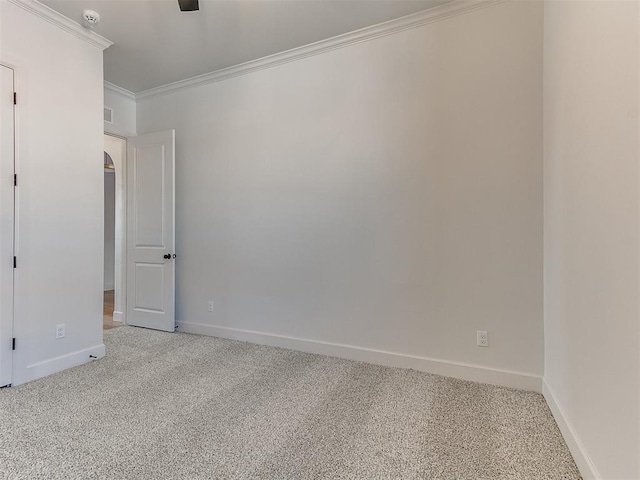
386 195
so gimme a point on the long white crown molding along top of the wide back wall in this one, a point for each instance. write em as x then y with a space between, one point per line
431 15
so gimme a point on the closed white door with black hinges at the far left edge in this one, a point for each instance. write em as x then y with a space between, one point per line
6 223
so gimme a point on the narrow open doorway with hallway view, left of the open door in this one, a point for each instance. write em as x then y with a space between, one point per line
114 232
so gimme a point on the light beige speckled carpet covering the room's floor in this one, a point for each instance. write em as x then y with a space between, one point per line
177 406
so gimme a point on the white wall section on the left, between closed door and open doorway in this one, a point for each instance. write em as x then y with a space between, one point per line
60 199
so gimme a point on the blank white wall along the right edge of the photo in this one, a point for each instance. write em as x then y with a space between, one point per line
591 218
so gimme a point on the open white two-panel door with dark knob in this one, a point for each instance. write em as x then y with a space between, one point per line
151 231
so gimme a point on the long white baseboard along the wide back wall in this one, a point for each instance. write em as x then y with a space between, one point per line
464 371
